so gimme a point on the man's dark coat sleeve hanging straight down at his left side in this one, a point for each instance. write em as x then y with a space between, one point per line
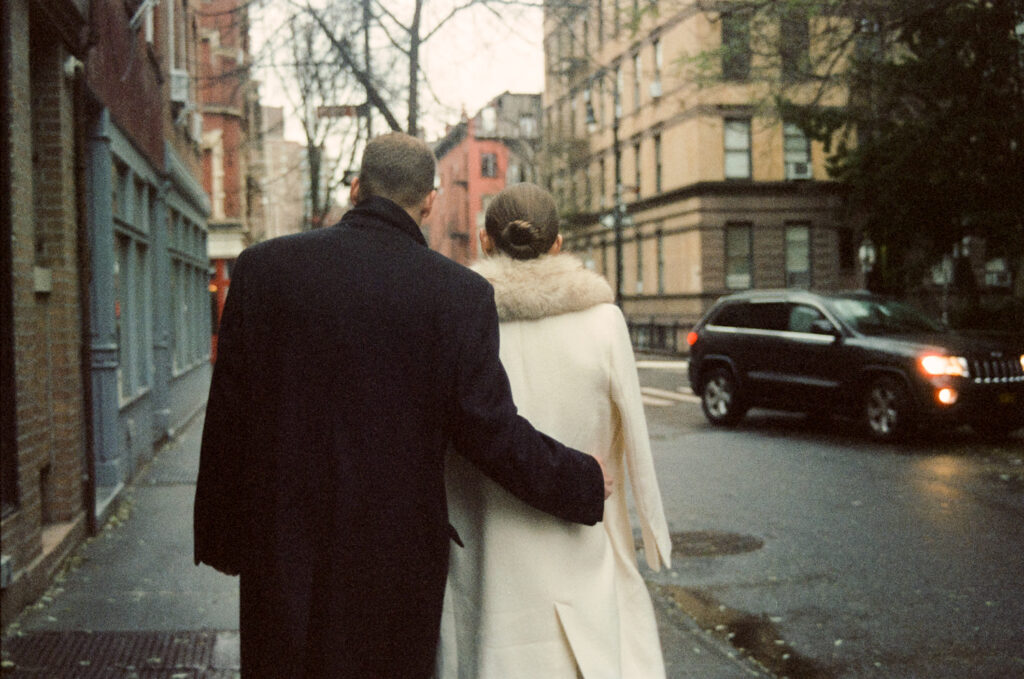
220 520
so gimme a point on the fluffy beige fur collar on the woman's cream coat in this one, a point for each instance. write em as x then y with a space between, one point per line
532 289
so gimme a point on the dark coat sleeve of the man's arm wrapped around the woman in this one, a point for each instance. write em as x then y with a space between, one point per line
489 431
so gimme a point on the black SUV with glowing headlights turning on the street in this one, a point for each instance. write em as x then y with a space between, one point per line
856 355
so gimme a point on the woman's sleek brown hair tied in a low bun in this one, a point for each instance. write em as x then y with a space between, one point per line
523 222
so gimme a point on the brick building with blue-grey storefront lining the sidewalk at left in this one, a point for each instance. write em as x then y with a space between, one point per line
104 266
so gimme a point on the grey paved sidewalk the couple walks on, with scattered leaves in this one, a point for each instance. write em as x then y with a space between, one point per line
132 604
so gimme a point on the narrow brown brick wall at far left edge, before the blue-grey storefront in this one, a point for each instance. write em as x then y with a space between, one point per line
50 413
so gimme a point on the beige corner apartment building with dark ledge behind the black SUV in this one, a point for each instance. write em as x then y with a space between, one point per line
715 194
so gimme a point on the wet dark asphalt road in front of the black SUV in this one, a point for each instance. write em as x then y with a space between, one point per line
868 561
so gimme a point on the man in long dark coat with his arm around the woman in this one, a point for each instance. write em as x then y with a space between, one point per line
350 360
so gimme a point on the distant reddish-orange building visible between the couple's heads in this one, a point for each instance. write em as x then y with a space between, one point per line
477 159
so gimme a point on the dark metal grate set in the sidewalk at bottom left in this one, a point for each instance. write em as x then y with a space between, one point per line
80 655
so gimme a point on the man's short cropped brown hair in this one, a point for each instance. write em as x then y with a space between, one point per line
399 167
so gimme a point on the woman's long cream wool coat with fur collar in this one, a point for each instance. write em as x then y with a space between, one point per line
531 597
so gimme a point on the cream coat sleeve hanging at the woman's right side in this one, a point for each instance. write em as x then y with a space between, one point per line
636 449
